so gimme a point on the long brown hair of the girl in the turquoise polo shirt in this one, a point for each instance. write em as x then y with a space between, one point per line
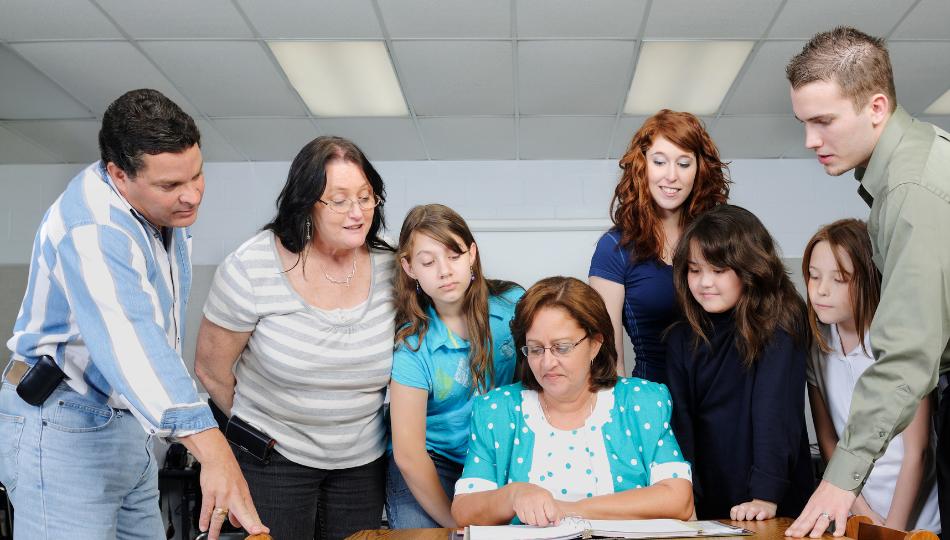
445 226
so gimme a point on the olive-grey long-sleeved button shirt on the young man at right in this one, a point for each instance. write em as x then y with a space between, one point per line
908 178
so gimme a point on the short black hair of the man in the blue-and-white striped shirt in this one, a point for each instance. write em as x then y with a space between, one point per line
144 122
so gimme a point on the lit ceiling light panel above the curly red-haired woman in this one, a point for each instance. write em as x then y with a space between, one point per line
691 76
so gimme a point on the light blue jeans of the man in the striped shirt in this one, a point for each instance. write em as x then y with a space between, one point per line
77 469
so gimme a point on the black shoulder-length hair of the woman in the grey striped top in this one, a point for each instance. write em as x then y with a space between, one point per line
306 183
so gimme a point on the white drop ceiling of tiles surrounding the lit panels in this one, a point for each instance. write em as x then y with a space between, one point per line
526 32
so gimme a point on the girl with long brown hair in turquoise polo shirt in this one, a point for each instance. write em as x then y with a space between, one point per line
453 343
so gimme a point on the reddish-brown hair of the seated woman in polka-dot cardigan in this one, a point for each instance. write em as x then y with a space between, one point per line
586 307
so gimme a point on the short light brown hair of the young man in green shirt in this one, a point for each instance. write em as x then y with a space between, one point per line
859 63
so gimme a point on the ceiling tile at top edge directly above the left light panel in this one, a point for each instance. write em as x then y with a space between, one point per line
306 19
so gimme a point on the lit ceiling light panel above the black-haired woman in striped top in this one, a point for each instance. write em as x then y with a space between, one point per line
342 78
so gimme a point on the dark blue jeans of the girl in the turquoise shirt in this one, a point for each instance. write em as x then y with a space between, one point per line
402 510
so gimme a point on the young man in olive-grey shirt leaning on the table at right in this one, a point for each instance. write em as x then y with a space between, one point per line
842 89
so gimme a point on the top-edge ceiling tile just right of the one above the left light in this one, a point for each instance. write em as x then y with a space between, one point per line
447 18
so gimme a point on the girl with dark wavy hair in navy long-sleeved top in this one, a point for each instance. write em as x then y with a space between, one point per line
736 370
